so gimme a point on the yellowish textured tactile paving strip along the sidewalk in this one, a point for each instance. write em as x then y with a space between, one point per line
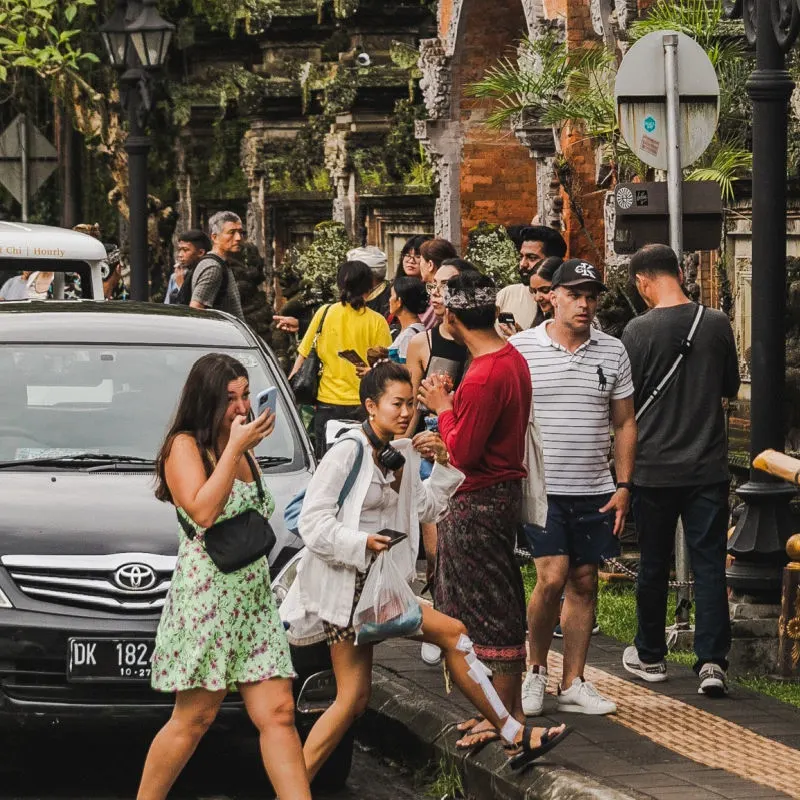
693 733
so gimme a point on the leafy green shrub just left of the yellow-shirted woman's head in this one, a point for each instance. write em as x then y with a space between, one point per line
317 265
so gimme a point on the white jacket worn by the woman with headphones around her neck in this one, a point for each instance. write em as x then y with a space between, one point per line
336 539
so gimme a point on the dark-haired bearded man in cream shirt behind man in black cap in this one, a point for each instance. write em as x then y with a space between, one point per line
524 300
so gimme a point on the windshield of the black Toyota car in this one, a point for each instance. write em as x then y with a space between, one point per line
62 401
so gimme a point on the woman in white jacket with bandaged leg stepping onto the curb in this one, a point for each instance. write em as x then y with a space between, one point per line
341 544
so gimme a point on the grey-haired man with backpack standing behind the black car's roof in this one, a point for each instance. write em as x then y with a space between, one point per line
213 284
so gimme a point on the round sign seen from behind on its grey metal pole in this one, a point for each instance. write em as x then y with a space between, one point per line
667 98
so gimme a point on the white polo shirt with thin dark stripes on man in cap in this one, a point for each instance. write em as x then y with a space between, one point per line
572 393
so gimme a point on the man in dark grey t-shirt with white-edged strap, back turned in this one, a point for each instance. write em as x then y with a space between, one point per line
681 465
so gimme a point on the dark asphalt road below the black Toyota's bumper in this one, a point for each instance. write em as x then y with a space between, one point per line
106 765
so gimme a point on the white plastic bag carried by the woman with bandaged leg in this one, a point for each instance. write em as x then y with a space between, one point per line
388 608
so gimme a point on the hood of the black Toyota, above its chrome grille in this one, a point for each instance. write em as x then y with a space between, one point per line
90 513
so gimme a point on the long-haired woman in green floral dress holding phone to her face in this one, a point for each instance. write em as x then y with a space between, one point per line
219 632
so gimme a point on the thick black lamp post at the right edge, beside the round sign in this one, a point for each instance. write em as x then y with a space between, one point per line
759 540
